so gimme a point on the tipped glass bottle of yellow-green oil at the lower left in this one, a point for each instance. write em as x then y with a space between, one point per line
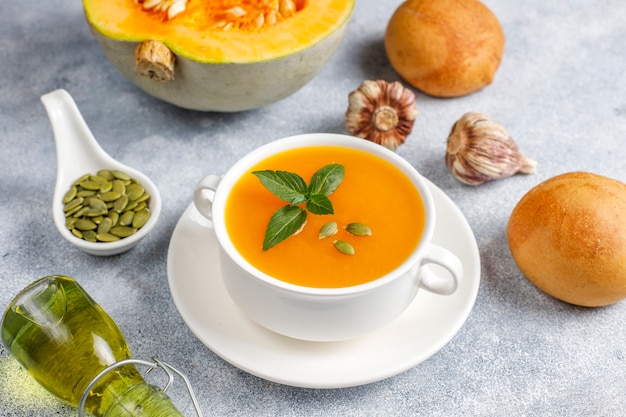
58 333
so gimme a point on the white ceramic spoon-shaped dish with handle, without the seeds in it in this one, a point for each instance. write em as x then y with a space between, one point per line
79 153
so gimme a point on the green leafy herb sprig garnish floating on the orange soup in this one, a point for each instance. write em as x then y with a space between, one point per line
291 188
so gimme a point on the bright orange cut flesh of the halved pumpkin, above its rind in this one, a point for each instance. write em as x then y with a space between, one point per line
208 31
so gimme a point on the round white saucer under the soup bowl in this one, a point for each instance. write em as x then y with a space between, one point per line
424 328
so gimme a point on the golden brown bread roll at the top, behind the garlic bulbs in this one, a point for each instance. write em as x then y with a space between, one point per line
446 48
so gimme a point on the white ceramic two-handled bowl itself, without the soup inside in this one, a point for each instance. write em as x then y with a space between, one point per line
325 314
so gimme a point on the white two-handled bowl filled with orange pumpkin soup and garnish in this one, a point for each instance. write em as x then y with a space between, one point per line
324 237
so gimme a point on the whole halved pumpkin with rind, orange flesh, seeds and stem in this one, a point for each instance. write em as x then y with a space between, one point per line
219 55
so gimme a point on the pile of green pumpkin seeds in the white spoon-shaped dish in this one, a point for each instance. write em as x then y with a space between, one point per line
105 207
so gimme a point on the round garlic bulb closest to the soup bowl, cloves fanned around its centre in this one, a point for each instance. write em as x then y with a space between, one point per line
381 112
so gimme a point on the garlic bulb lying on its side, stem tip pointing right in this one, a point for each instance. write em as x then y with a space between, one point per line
480 150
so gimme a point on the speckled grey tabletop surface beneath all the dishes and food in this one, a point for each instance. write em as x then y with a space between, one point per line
561 93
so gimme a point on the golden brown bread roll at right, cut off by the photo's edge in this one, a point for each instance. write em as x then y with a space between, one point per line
568 237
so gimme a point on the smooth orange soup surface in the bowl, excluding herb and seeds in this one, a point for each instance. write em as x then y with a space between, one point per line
373 192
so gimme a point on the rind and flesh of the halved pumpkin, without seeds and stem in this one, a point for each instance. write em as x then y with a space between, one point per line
223 70
